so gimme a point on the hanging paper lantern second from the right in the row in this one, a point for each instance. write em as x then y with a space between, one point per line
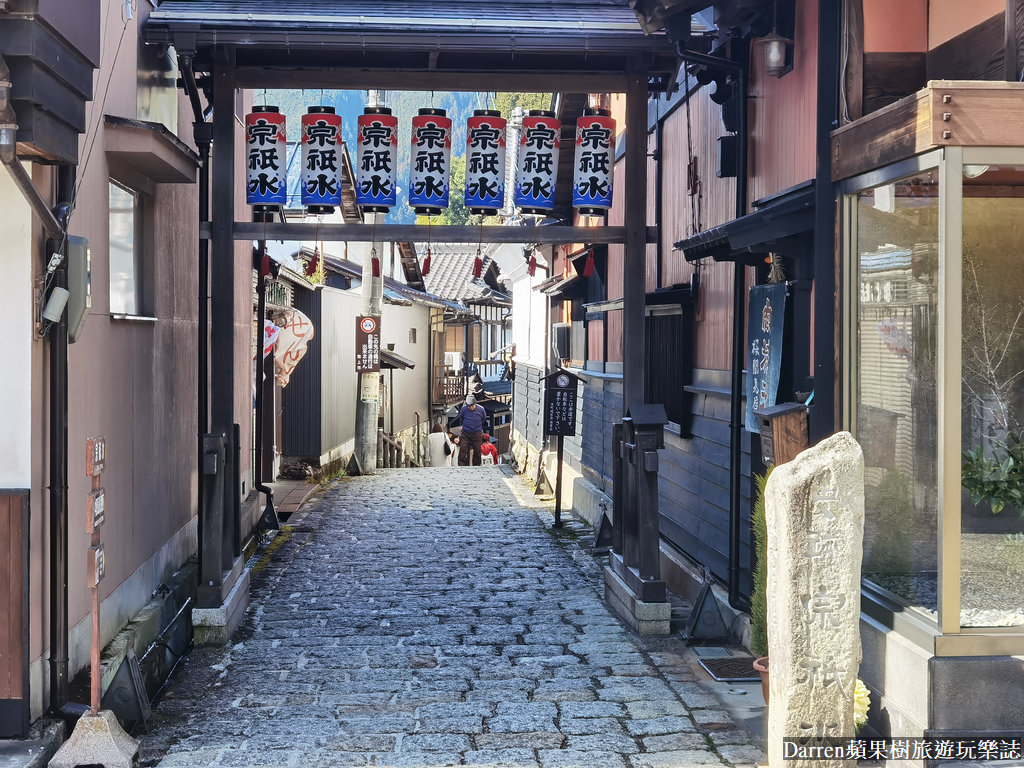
537 170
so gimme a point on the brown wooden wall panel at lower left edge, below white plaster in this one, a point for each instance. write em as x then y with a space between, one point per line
14 614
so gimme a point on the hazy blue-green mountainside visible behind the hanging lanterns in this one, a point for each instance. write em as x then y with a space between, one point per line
405 106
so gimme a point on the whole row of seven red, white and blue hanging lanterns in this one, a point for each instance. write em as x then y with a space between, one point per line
431 164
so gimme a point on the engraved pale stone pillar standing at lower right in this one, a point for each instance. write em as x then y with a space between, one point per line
816 516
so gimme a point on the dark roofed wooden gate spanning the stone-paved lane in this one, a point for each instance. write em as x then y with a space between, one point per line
563 47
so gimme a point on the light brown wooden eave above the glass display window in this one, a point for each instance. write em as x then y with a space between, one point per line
946 113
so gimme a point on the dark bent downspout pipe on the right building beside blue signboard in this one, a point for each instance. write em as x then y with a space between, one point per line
739 70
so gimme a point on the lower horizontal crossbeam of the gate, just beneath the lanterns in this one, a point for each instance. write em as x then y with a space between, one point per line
558 235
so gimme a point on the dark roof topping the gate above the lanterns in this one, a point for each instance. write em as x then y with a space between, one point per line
291 39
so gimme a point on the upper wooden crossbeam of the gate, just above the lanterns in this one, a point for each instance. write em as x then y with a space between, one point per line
419 80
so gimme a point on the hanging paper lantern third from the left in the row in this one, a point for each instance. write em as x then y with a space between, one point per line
377 157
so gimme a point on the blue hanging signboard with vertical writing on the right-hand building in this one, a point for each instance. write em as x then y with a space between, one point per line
764 359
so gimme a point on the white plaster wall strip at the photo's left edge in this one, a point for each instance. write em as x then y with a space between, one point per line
16 386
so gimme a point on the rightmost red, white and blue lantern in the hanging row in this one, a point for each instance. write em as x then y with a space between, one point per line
595 158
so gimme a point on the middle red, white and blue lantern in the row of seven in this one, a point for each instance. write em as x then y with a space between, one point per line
431 162
